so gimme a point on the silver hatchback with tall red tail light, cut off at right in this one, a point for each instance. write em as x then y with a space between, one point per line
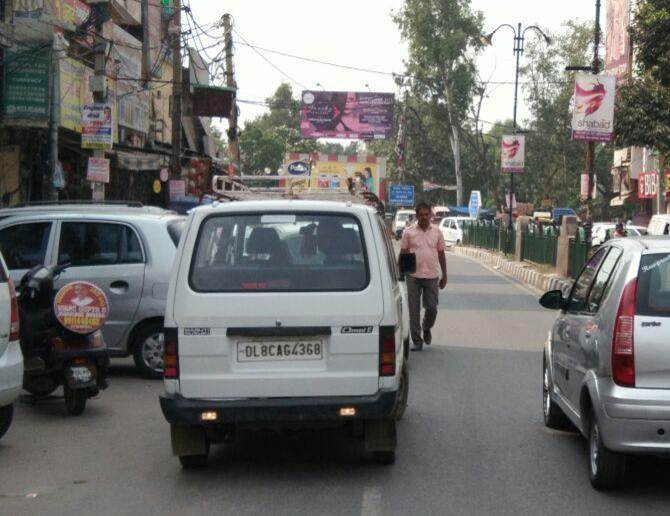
607 359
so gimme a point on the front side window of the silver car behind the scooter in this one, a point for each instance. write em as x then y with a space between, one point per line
25 246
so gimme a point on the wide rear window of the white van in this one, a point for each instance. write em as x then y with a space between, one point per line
280 252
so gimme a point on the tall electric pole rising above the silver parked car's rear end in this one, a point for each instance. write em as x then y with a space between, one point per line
177 90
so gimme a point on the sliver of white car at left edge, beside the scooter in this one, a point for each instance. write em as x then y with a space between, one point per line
11 359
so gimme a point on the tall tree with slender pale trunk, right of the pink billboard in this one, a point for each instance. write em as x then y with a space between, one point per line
443 36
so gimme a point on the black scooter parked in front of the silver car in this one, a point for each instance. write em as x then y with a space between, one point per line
54 355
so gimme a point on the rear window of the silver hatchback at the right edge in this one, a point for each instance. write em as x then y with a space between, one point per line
653 287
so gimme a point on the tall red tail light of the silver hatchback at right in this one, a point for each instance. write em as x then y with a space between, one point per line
623 343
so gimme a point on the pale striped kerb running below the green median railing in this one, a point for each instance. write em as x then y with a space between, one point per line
522 272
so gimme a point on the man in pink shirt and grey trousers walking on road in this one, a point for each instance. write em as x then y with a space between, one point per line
427 243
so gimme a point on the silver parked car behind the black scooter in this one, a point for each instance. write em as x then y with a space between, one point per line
128 254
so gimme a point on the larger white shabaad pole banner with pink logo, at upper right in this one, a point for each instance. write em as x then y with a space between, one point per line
593 115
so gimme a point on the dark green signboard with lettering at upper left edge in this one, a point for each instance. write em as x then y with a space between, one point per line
26 85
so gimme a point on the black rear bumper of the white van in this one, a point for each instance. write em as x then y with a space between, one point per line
183 411
